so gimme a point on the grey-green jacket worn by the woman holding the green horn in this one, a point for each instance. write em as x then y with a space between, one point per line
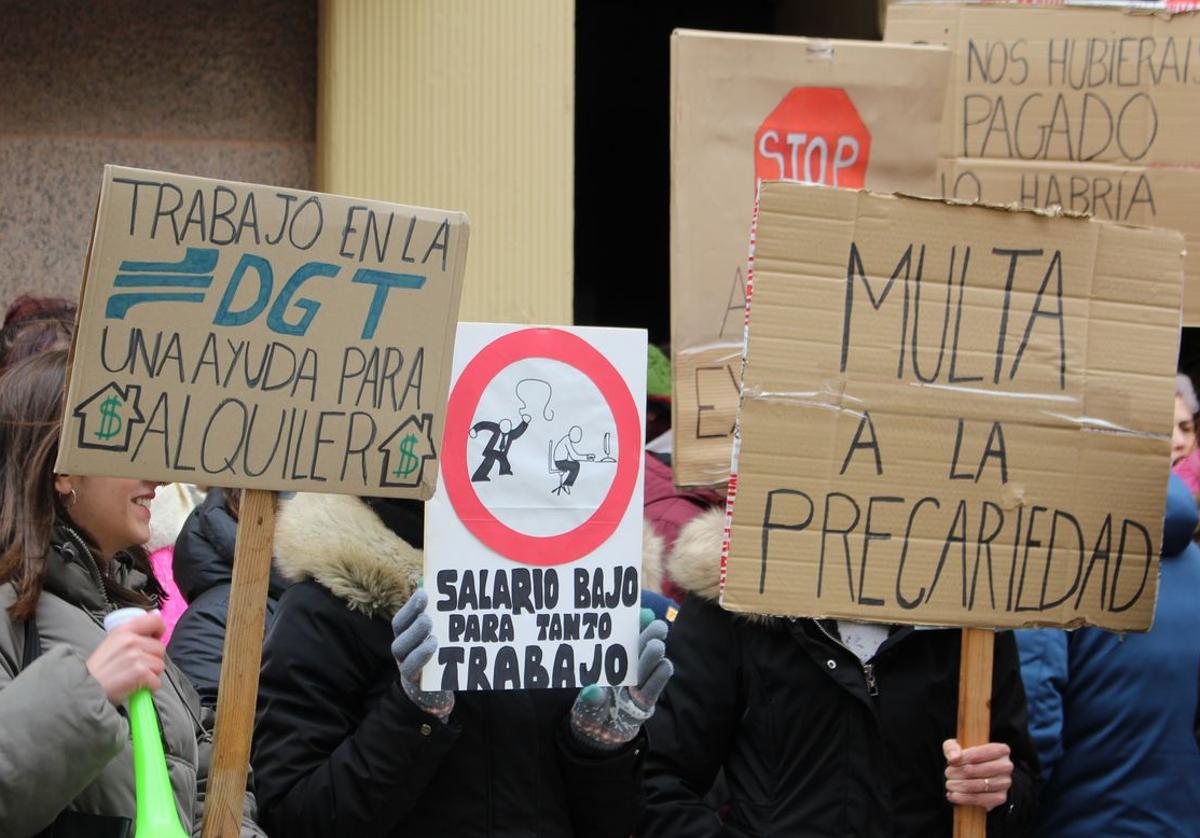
63 745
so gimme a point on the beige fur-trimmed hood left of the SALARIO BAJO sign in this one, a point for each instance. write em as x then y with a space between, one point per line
339 542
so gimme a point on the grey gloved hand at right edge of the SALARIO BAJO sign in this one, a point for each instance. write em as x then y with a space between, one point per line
607 719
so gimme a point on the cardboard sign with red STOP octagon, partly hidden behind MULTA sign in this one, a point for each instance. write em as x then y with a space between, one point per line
746 109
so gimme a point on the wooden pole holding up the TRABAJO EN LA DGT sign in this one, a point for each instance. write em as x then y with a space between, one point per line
238 689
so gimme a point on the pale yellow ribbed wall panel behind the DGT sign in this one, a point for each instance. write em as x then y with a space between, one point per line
465 105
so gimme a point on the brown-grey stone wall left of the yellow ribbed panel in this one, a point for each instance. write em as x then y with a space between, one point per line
200 87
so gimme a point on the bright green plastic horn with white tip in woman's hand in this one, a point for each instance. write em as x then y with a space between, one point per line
158 817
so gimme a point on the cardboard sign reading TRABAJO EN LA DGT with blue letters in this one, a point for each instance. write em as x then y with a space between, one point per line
242 336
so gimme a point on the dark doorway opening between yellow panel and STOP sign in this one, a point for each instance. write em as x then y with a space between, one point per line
622 137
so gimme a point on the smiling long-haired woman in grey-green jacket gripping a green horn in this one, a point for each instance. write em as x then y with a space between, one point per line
69 556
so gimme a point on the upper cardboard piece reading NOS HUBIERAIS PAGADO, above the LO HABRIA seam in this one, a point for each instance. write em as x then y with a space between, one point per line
1076 85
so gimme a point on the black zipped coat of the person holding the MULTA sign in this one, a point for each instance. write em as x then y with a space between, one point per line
808 747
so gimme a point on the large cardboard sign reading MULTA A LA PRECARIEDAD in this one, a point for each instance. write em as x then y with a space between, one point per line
937 403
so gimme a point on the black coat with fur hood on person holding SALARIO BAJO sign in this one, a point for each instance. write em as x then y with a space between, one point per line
341 751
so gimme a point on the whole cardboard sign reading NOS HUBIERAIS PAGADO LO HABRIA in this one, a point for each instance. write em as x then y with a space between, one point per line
1106 100
